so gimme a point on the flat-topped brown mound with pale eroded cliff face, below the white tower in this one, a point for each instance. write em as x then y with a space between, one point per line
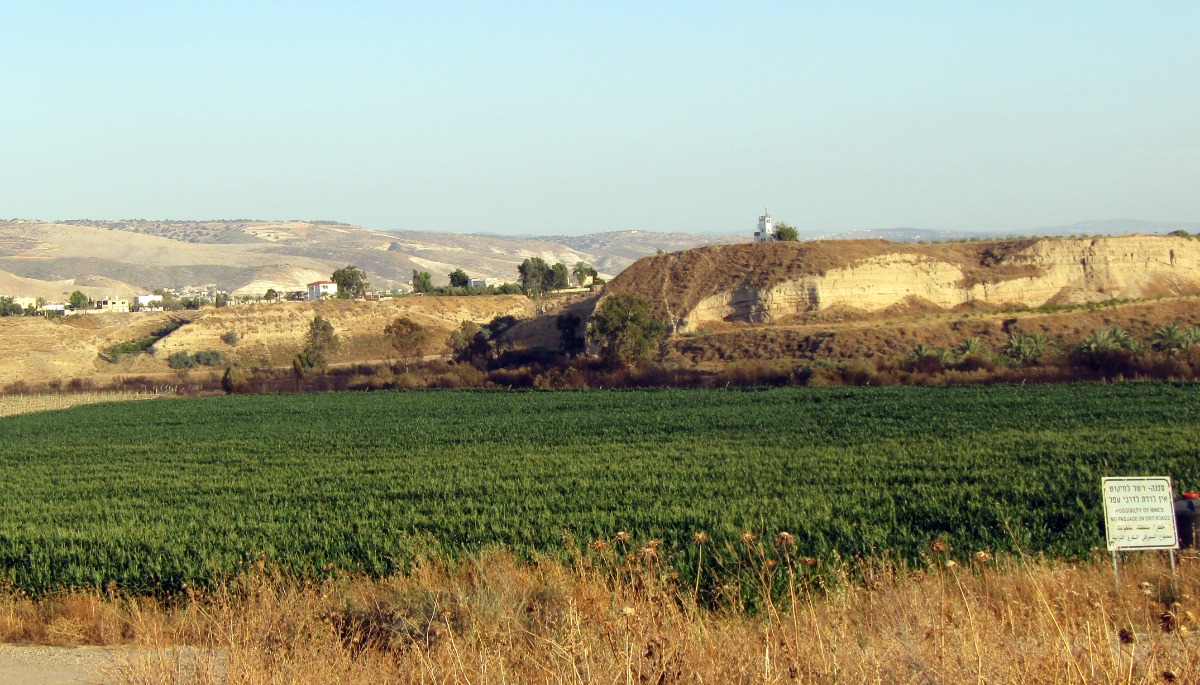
767 283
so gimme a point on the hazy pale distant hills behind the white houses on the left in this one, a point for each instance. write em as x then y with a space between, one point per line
251 256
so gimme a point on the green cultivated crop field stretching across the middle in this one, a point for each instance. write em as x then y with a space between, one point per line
154 495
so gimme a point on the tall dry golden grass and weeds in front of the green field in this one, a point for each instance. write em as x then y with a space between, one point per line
497 621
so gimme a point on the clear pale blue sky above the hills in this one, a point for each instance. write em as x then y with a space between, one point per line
605 116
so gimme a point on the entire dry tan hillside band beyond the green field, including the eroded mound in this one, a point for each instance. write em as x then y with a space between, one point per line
790 304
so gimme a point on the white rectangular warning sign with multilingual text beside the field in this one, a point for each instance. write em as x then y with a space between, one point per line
1139 514
